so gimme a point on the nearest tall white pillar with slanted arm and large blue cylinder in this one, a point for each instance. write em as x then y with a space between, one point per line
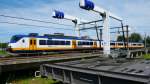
89 5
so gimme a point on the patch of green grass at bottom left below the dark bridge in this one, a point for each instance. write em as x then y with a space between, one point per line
33 80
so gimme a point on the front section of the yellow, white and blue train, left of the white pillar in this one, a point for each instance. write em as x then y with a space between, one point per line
30 43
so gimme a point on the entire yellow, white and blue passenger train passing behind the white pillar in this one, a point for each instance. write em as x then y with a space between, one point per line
47 43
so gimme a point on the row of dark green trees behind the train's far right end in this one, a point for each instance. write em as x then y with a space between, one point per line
136 37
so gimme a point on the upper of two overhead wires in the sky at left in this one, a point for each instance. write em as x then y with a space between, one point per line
33 20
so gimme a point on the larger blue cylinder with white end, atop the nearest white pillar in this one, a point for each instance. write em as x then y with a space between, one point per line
86 4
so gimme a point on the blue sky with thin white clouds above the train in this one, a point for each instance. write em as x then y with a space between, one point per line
136 14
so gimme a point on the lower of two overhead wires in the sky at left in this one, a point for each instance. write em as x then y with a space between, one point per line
35 25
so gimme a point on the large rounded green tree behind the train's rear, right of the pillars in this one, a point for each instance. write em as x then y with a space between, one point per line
135 37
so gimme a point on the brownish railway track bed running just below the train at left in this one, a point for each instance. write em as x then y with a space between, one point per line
42 57
